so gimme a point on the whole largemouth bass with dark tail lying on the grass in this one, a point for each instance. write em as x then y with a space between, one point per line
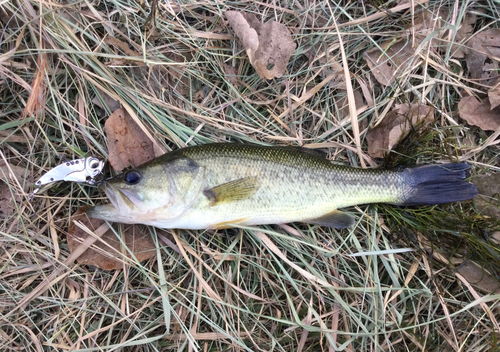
224 185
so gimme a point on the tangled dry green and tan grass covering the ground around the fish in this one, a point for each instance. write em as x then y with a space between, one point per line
276 288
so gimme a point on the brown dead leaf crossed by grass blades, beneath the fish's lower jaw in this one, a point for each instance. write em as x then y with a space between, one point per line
108 254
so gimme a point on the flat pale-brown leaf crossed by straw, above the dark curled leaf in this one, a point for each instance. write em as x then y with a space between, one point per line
387 65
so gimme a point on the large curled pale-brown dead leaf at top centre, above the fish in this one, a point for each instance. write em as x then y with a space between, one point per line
268 45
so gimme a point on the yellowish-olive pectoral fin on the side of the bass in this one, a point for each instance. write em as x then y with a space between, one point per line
232 191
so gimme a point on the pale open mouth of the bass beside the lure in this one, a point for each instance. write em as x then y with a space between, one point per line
124 203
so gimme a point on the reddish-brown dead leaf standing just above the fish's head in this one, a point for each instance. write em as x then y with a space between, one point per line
128 145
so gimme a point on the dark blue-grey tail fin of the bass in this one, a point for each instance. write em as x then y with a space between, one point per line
438 184
